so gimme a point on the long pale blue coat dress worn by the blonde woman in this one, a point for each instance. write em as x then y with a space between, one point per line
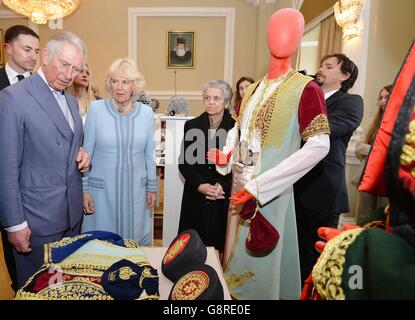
122 170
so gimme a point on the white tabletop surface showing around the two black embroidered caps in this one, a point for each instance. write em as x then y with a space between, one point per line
156 254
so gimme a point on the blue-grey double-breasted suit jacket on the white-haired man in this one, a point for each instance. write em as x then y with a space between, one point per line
39 179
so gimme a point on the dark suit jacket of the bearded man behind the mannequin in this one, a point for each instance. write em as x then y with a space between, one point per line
324 187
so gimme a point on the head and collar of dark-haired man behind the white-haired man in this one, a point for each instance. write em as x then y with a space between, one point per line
22 45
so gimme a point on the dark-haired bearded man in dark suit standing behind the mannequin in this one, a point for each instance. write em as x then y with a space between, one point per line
321 195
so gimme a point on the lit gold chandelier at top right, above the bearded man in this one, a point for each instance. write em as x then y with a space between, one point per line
348 16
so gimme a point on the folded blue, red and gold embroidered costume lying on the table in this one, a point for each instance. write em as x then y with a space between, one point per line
92 266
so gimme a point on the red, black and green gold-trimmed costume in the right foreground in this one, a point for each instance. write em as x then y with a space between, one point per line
371 263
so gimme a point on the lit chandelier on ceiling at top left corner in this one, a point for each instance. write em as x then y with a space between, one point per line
40 11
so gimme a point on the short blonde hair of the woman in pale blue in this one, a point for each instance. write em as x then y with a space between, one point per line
127 69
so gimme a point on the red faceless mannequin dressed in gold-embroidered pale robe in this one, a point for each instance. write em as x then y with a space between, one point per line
263 151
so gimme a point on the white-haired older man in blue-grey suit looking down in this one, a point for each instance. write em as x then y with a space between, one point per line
40 138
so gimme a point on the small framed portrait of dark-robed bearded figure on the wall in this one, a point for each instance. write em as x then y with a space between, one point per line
180 49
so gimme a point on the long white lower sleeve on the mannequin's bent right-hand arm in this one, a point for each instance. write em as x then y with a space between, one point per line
274 181
